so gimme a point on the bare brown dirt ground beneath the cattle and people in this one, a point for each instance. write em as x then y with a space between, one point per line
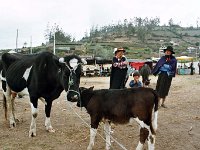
178 125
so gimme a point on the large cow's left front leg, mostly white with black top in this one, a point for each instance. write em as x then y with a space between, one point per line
34 111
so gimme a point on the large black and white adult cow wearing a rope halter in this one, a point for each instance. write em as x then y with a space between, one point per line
43 76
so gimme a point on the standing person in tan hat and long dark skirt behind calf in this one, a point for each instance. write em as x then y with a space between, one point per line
118 69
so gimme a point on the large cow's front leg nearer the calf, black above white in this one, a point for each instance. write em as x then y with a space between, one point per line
47 120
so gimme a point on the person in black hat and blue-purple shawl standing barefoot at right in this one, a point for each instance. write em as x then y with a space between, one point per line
166 70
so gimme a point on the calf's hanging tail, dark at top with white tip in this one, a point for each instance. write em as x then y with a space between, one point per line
154 122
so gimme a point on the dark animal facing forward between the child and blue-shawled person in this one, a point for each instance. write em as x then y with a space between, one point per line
145 71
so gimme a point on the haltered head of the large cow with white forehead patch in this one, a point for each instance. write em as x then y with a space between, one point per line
71 76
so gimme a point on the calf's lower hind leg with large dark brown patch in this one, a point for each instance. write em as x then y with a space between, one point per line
143 136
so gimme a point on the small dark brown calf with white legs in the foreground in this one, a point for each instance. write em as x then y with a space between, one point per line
121 106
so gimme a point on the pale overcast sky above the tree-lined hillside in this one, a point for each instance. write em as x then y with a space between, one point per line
75 17
